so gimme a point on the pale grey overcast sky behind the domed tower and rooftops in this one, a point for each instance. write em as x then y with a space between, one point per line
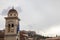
42 16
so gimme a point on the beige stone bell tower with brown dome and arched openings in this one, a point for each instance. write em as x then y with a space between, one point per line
12 25
